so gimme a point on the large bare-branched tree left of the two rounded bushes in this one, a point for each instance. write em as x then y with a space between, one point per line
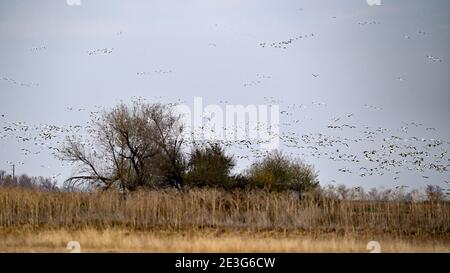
129 147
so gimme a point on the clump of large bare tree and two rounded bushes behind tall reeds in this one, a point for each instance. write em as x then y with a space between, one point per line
143 146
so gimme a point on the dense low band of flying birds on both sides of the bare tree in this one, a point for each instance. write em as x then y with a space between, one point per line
392 154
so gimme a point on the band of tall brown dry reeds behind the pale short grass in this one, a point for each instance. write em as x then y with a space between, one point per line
210 208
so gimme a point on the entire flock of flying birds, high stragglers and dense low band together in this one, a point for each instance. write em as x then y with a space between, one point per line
392 151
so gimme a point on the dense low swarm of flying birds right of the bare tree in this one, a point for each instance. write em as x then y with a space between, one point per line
393 152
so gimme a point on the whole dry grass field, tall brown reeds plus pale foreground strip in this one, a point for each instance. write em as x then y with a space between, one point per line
207 220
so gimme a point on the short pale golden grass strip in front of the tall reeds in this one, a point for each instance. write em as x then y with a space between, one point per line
120 240
